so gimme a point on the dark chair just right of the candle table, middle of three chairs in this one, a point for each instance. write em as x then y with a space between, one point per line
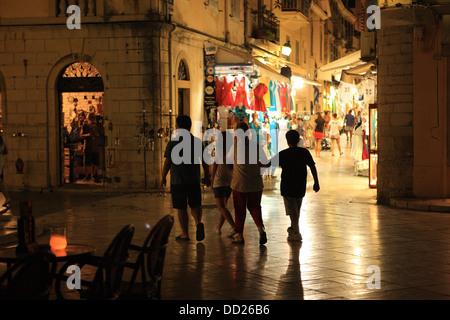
109 270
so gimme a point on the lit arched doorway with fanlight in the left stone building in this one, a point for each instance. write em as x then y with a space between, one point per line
81 124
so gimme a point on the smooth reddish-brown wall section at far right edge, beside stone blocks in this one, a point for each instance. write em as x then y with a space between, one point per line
431 114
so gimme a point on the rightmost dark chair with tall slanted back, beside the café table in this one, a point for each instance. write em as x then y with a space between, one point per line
150 262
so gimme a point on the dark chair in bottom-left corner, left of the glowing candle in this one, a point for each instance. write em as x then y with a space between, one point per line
29 279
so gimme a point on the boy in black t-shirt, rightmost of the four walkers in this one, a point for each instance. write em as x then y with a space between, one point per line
293 162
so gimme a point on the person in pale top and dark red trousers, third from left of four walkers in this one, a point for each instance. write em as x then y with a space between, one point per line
247 185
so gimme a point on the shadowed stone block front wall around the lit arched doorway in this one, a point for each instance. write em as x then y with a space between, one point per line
131 59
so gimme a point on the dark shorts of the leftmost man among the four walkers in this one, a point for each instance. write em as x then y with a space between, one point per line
184 194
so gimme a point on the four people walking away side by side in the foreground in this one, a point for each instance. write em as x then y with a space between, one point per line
241 179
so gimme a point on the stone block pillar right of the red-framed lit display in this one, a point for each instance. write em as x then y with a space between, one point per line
395 112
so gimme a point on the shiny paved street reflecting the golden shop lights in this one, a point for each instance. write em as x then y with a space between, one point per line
346 236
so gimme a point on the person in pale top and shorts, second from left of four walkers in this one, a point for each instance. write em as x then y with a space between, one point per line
221 175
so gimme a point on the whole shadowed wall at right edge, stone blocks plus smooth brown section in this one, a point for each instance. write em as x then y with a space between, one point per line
413 102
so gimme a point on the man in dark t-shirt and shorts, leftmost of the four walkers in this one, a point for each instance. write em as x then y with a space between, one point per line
185 178
